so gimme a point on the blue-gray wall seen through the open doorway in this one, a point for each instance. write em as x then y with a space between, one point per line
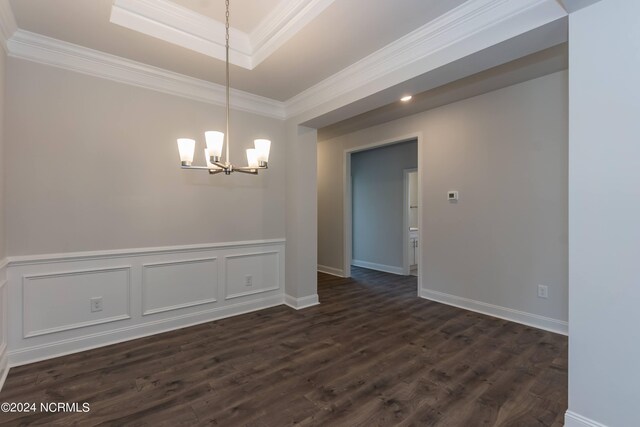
378 198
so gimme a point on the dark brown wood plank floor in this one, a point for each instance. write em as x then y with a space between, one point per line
372 354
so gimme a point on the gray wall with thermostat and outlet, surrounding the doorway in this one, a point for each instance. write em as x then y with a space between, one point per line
506 153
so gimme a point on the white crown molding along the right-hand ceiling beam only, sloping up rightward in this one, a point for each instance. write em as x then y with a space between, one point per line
474 25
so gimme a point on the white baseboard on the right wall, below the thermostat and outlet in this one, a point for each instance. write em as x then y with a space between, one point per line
529 319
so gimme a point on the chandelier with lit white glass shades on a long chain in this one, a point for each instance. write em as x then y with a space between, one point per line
257 157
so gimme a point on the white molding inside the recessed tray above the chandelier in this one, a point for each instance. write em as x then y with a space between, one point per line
181 26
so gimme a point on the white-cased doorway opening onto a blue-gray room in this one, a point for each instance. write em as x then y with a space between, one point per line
376 222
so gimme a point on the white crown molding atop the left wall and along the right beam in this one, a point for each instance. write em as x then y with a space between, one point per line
473 26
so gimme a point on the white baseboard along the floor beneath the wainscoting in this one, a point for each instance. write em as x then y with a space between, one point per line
113 336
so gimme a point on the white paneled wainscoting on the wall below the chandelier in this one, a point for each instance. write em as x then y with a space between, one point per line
143 291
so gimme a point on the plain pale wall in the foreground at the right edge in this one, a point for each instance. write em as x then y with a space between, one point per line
604 207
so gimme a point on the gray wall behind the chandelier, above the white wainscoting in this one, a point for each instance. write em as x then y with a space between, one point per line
94 165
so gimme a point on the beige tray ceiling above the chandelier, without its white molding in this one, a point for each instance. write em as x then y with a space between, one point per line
339 35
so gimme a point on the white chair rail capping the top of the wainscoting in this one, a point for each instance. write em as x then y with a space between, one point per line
135 252
